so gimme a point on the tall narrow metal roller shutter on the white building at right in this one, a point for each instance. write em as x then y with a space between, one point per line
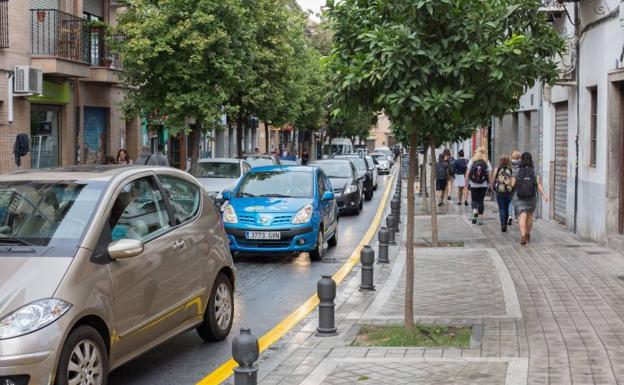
561 162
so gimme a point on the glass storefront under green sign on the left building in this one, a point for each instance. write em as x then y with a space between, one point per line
46 122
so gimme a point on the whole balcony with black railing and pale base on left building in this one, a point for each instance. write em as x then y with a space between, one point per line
65 45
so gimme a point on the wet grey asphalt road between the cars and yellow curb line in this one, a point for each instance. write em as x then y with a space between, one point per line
268 289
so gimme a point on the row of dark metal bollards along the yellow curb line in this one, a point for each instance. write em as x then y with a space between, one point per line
245 348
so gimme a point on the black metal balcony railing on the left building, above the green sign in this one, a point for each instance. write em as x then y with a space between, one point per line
65 36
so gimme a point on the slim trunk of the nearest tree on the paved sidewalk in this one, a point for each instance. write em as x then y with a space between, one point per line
409 243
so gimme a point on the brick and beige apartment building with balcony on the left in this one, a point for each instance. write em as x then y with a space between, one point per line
77 118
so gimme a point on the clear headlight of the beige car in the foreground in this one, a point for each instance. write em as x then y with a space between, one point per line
32 317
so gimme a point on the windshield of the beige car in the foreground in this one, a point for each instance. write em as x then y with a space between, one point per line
42 213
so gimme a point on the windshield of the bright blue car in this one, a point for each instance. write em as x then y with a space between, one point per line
284 184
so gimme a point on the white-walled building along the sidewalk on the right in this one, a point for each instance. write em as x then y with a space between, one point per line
576 127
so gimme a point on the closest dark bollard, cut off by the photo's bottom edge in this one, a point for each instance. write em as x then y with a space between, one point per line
245 351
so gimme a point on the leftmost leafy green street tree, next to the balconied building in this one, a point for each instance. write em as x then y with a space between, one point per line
181 58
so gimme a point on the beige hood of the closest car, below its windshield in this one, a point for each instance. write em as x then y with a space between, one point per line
27 279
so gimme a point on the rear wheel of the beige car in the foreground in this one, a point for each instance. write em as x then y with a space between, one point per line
219 314
